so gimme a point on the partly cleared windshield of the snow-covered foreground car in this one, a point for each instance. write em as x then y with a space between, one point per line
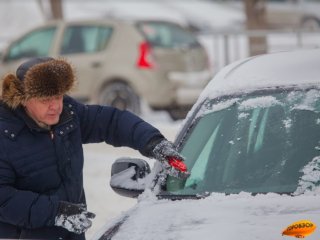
259 143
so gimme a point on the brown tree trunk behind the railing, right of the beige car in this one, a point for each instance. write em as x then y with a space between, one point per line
256 20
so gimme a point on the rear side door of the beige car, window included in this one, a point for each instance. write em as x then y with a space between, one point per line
83 45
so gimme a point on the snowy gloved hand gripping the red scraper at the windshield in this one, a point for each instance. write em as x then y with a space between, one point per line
171 160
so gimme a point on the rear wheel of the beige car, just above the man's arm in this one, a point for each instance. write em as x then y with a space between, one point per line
121 96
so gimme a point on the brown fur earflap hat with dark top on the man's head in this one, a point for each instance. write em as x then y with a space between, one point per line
37 78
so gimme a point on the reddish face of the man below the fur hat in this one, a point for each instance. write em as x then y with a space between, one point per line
45 110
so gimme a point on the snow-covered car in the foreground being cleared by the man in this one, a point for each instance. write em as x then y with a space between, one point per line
252 147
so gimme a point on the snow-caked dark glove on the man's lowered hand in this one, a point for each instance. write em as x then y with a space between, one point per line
73 217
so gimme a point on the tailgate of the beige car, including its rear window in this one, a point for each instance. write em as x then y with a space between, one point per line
175 49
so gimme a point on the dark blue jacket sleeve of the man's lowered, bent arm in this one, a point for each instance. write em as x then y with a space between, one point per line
24 208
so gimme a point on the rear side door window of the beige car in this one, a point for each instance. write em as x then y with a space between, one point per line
85 39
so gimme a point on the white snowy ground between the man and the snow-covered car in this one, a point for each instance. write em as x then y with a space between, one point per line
98 159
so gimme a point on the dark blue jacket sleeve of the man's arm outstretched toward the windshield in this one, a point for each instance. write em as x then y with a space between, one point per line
115 127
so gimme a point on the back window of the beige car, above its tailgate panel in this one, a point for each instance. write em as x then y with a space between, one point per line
167 35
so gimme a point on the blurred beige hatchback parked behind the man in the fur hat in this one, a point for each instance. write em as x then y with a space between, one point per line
121 62
